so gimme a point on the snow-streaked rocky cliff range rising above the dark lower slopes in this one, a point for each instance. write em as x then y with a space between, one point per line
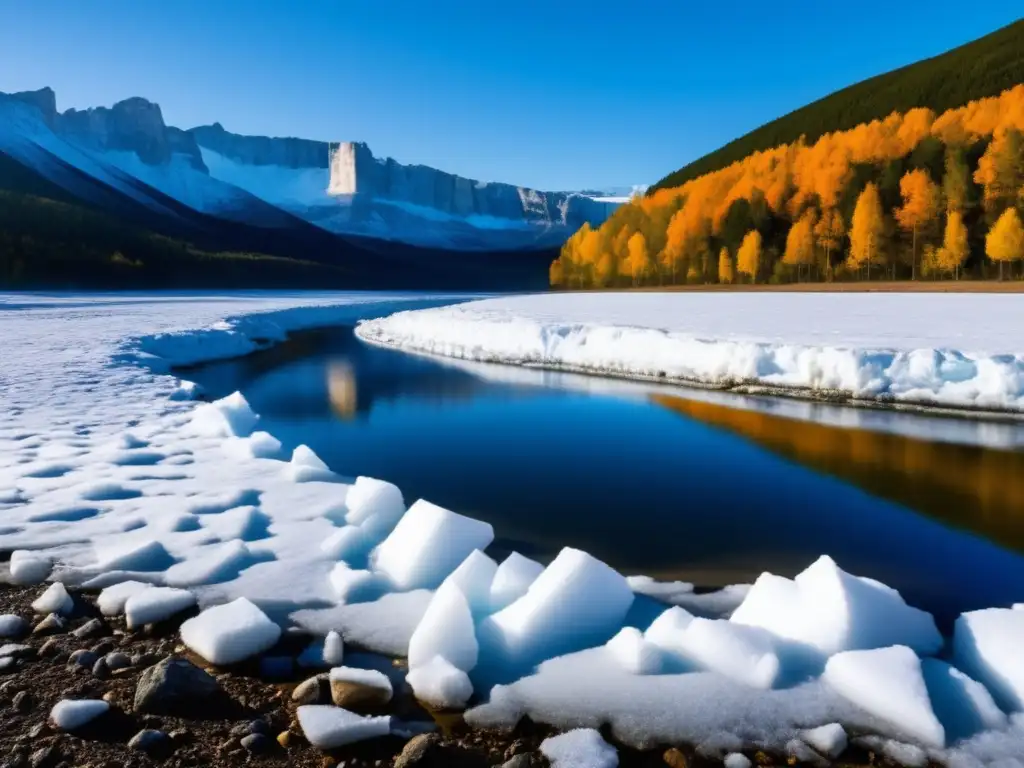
268 183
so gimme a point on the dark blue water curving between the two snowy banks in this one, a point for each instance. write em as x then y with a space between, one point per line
639 485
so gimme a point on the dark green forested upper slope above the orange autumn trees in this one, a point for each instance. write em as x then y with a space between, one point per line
984 68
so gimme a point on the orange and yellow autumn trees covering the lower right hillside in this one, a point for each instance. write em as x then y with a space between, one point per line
915 195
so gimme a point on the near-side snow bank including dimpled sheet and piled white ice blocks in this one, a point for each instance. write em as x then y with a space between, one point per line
112 477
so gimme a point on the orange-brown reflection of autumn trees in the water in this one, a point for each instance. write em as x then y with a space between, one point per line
973 488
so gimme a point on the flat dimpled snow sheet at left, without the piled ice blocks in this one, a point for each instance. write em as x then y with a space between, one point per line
106 472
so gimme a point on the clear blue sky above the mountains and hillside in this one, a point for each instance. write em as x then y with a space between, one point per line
554 96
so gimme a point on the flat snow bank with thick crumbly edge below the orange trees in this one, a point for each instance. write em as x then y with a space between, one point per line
909 349
